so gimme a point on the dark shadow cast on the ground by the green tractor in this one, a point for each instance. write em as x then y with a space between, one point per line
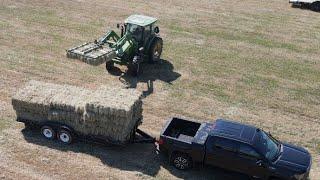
162 70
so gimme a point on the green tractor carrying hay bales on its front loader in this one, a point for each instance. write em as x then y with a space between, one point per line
138 42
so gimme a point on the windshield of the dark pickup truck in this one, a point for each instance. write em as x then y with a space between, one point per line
268 146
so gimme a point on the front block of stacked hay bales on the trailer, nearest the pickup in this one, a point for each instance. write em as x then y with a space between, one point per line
117 110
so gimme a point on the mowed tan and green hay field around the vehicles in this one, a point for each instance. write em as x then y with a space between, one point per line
256 62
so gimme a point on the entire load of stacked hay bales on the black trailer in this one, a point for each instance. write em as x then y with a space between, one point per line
109 112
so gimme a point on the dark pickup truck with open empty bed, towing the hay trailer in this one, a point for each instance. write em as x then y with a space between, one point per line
233 146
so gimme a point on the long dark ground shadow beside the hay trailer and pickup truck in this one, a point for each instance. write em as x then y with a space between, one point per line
141 158
